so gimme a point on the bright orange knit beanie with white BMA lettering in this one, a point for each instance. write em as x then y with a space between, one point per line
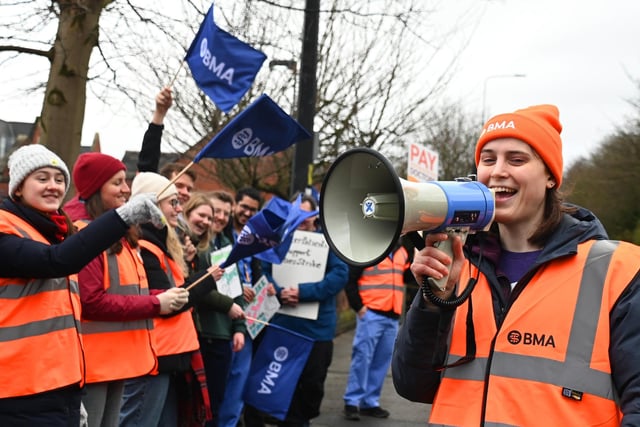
538 125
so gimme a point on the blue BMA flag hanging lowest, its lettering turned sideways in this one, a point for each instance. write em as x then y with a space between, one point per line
275 370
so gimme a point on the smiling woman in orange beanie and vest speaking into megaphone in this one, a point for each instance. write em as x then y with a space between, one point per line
551 330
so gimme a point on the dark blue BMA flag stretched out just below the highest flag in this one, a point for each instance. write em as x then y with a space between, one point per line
261 129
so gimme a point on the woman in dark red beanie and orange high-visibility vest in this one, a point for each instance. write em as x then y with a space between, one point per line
117 305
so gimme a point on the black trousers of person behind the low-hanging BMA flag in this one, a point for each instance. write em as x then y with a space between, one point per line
309 392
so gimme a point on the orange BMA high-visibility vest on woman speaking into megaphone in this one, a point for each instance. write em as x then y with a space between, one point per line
549 361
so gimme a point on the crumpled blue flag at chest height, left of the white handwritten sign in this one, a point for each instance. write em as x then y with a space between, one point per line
263 231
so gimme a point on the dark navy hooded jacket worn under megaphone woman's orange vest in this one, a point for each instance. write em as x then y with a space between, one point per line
422 341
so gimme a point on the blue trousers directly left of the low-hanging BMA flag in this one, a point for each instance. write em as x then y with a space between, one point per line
233 403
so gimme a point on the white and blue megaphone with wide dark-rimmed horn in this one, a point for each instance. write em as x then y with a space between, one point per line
365 207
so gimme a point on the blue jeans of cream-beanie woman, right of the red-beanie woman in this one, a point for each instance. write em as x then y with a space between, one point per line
149 401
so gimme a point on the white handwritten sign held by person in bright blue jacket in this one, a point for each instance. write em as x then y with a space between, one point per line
305 263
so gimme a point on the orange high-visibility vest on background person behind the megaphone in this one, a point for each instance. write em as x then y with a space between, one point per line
381 286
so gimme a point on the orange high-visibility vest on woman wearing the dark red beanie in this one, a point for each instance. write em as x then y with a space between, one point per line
120 349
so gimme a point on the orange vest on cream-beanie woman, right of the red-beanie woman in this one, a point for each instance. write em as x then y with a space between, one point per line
175 334
